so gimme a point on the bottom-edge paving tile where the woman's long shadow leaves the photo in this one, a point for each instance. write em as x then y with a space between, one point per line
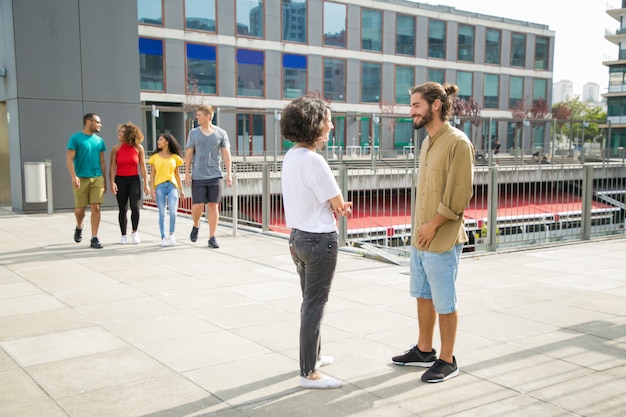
166 396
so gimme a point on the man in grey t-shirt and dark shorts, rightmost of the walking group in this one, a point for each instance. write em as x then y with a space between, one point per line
206 145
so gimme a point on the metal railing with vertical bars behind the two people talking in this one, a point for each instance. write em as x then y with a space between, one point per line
523 201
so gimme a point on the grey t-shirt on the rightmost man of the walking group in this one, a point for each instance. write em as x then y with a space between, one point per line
207 152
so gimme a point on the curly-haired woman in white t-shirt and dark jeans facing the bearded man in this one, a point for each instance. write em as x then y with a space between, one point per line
311 199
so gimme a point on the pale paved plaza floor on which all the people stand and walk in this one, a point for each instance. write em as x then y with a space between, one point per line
140 330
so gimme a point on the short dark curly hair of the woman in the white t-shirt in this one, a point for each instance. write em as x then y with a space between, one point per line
303 120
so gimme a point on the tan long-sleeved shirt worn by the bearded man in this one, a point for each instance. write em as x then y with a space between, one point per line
444 186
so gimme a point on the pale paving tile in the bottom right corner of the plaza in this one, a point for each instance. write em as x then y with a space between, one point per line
590 395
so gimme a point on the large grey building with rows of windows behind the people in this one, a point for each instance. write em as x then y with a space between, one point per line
153 61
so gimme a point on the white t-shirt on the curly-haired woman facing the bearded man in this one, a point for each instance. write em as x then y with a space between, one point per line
307 185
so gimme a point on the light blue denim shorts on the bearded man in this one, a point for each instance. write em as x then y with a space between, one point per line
433 276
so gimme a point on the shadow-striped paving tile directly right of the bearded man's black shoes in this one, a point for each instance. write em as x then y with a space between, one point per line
520 370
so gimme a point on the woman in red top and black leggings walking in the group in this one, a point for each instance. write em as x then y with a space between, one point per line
126 156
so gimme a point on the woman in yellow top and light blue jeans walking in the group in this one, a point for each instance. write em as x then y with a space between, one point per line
165 182
